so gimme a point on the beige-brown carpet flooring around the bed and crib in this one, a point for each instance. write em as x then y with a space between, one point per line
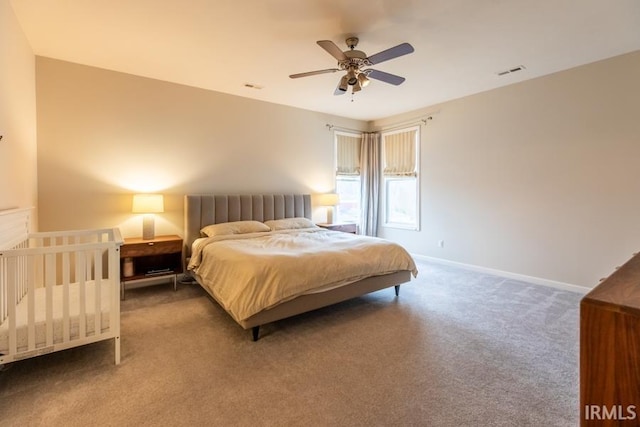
456 348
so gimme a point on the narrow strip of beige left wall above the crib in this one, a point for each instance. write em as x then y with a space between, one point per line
18 167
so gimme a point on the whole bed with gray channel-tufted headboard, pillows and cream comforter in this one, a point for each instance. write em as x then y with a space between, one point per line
220 263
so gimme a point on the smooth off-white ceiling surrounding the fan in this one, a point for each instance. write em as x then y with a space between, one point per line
222 45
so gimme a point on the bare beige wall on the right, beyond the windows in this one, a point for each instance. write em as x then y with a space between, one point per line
540 178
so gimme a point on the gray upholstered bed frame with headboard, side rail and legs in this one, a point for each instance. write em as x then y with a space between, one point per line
201 210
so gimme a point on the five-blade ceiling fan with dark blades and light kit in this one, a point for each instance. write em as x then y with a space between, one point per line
354 62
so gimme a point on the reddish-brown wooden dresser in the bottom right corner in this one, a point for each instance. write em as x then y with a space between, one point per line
610 350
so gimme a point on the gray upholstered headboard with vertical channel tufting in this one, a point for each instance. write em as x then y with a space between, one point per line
205 209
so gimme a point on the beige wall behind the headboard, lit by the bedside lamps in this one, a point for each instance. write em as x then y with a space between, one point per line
103 136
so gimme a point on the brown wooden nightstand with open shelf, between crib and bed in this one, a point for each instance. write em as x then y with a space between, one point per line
142 260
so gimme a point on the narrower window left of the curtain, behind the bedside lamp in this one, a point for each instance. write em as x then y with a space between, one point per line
348 147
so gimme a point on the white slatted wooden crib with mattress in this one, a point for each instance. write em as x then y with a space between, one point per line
57 289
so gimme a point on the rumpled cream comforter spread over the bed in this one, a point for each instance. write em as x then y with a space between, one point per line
248 273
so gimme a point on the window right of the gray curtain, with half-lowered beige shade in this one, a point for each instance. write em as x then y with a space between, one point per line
400 153
